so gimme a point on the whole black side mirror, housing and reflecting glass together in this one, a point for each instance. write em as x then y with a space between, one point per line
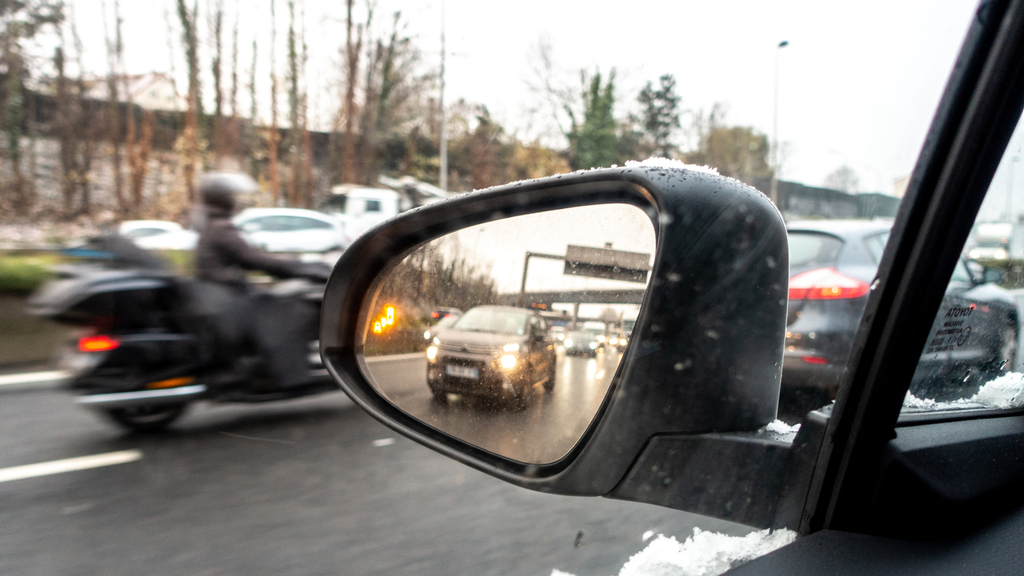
702 260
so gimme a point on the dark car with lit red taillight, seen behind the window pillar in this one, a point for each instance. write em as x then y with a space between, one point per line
832 267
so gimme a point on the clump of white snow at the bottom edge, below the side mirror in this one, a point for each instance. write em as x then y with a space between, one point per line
703 554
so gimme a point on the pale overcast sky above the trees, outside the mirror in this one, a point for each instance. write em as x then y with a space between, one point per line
859 83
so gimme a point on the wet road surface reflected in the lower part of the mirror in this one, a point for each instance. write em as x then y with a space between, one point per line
543 433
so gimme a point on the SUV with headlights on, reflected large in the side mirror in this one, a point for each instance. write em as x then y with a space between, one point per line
500 353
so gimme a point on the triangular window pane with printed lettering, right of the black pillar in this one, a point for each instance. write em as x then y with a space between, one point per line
972 359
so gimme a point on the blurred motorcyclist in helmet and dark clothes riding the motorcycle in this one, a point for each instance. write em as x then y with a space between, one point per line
278 327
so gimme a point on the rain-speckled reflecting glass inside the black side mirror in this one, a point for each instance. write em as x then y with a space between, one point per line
507 335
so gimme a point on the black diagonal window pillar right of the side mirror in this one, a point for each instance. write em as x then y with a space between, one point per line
976 117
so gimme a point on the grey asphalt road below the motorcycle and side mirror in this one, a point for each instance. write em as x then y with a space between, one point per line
304 487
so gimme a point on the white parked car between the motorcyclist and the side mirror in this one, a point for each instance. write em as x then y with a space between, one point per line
291 230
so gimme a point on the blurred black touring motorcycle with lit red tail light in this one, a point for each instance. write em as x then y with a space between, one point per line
153 343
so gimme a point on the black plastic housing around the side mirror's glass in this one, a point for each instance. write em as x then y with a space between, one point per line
706 354
